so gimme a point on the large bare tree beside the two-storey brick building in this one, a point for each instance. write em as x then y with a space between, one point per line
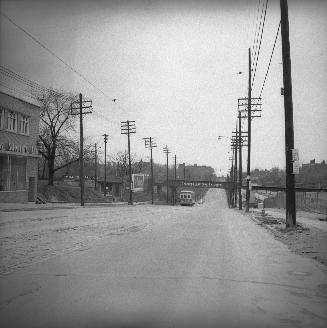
58 146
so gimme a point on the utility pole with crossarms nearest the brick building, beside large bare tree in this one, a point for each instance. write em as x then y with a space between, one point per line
81 105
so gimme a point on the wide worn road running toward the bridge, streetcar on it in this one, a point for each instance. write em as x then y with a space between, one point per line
146 265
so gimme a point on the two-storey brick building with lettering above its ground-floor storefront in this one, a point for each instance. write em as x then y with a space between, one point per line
19 130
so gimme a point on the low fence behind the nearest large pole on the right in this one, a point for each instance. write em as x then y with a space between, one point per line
305 201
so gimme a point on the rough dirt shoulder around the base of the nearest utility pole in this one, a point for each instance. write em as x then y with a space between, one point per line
309 238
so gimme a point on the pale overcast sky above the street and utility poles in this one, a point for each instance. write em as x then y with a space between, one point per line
174 67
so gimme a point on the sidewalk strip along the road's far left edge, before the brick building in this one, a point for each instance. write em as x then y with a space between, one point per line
30 206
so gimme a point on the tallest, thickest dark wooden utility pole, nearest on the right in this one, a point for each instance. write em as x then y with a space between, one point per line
288 109
